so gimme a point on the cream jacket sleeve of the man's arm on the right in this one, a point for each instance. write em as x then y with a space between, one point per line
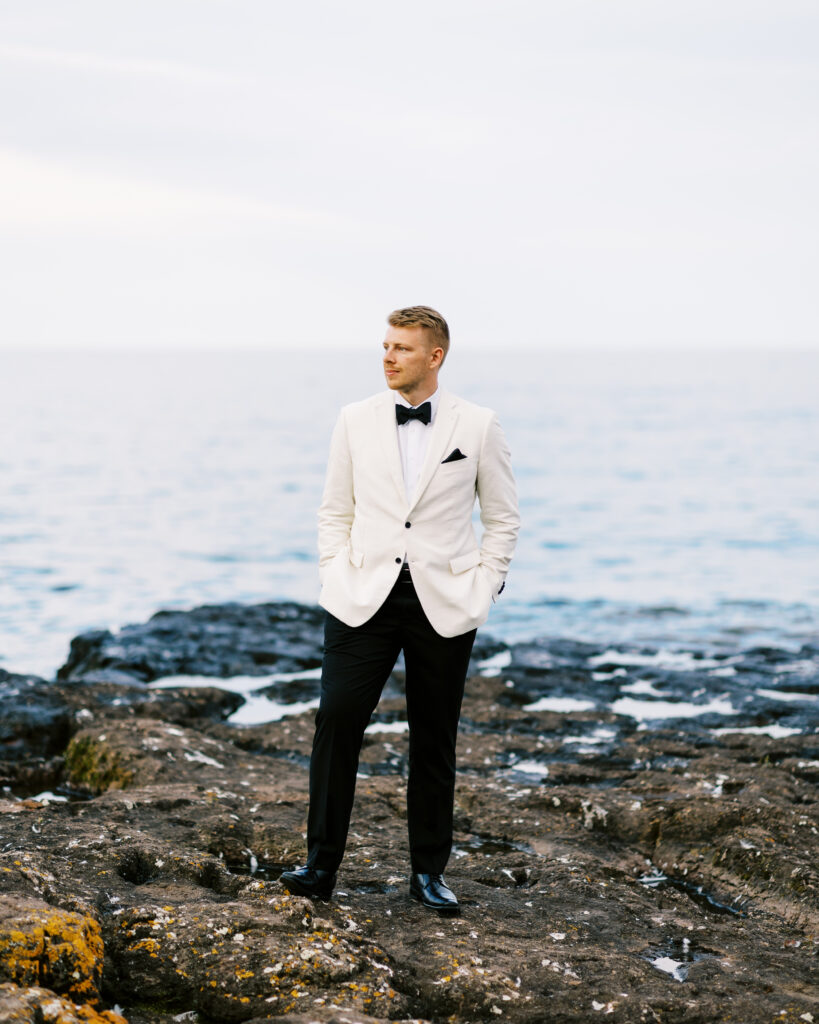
499 504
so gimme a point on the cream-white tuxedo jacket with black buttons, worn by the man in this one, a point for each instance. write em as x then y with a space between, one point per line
366 524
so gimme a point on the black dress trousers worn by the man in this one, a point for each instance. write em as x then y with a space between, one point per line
358 663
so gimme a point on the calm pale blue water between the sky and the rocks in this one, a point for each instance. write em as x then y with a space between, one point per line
670 499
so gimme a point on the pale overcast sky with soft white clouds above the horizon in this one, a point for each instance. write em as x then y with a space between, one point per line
548 174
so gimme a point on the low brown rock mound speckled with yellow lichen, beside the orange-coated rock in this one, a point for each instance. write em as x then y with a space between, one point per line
262 955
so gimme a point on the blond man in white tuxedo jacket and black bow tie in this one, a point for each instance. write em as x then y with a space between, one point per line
401 570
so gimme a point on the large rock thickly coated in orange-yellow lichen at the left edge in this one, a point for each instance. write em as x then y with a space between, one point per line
54 949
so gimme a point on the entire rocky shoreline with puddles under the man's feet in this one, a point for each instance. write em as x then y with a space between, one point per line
637 836
